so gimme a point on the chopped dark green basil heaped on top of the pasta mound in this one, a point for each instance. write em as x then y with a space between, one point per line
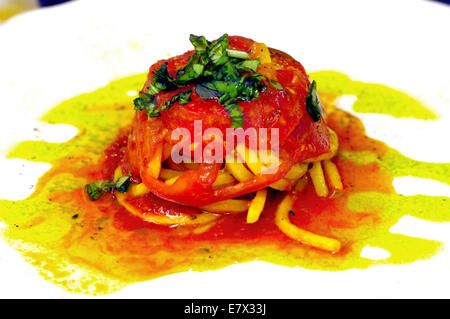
217 72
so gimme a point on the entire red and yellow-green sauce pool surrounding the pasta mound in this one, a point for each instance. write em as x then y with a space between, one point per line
61 231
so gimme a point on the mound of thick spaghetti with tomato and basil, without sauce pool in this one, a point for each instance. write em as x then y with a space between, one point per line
222 130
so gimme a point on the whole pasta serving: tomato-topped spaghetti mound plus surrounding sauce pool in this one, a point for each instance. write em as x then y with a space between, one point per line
228 153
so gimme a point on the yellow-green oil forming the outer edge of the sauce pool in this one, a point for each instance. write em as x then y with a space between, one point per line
39 227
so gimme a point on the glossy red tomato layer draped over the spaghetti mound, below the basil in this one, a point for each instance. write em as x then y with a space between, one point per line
284 109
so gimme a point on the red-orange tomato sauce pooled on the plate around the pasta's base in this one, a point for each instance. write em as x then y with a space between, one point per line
145 250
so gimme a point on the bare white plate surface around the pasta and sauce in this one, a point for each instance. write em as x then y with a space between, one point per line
50 55
